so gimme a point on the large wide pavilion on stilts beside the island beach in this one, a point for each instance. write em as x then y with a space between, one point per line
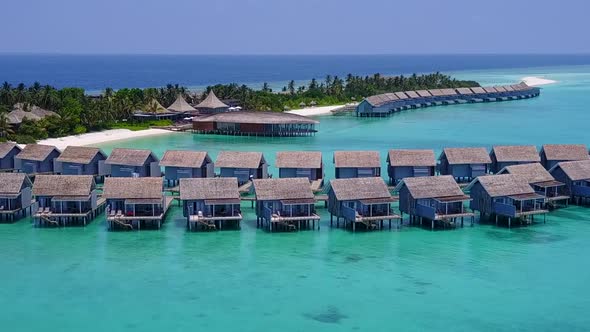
244 123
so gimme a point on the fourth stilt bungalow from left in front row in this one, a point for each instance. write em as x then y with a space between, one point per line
210 203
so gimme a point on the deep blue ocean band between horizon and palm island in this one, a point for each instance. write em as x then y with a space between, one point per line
97 72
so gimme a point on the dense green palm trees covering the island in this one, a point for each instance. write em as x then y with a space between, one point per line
80 113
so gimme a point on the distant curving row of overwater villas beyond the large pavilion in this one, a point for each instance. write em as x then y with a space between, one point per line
388 103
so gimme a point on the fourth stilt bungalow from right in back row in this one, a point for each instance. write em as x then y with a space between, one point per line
410 163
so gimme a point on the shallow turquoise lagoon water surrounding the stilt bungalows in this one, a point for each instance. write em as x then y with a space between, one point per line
480 278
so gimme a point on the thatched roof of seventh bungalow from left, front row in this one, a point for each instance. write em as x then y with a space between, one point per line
431 187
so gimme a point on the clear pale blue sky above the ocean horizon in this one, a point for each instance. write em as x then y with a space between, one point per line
294 27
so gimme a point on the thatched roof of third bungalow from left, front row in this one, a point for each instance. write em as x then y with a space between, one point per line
133 188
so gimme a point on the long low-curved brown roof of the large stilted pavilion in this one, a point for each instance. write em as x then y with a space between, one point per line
257 118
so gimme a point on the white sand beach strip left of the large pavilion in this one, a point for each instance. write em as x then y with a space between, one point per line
101 137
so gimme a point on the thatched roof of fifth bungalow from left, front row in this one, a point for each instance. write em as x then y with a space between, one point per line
283 189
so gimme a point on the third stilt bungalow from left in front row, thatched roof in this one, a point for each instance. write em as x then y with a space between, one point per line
135 203
